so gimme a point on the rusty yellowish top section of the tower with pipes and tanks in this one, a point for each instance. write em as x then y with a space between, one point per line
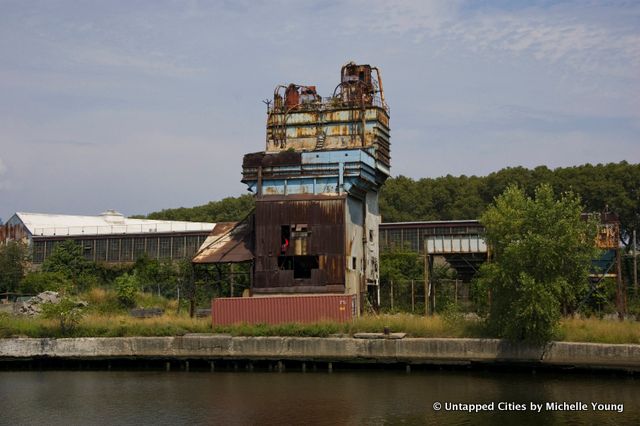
356 116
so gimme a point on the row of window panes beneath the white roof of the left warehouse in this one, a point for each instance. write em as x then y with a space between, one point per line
127 249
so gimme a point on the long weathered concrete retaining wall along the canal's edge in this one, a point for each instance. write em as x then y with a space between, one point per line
408 350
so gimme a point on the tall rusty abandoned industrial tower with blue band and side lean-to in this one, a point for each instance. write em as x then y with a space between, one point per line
315 226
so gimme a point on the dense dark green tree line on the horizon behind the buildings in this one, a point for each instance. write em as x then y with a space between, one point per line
613 186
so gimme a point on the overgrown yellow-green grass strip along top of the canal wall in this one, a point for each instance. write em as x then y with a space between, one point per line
106 318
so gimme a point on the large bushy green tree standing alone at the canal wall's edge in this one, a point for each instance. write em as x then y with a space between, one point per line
542 252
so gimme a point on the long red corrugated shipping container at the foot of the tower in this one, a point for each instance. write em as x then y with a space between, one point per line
282 309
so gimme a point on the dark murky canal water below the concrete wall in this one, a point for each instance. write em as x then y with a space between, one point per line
359 397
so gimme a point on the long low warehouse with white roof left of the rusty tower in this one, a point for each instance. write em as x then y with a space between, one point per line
109 237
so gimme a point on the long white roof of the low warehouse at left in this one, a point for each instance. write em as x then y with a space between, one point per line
109 222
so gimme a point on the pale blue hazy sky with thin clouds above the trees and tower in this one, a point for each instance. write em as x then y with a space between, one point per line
143 105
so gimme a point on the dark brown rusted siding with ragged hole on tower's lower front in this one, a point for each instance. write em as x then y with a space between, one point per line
324 218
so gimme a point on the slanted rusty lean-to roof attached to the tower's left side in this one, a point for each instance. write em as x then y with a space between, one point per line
229 242
